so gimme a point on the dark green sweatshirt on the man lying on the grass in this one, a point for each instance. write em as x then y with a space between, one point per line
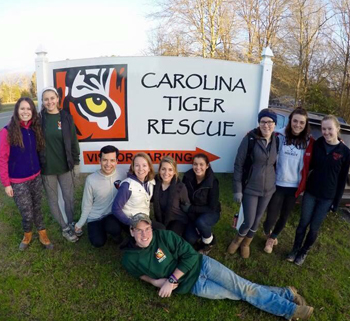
166 252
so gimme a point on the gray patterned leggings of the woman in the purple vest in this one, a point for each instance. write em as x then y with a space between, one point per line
27 197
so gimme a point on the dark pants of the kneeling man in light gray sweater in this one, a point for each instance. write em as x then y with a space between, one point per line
98 230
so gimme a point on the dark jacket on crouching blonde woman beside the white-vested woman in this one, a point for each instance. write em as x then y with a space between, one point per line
177 196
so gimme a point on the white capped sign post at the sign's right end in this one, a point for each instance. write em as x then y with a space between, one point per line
266 76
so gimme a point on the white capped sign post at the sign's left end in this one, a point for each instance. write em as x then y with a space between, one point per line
41 66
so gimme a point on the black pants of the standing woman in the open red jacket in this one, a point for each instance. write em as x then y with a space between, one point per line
280 207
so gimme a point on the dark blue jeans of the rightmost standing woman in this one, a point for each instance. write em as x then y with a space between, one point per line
313 212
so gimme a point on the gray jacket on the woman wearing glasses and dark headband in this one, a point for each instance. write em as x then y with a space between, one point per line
262 178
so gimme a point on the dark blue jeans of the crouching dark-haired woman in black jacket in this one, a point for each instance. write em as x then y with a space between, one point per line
202 226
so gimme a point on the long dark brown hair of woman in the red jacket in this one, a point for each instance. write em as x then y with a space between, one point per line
301 140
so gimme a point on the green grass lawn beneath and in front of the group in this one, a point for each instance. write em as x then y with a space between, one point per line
79 282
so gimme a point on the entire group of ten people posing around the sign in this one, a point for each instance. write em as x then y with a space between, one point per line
170 250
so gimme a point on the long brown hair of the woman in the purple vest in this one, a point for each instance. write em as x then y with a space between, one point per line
14 128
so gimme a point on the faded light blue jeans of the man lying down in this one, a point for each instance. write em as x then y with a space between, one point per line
216 281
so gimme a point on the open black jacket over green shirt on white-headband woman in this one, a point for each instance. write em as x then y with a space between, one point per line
70 140
